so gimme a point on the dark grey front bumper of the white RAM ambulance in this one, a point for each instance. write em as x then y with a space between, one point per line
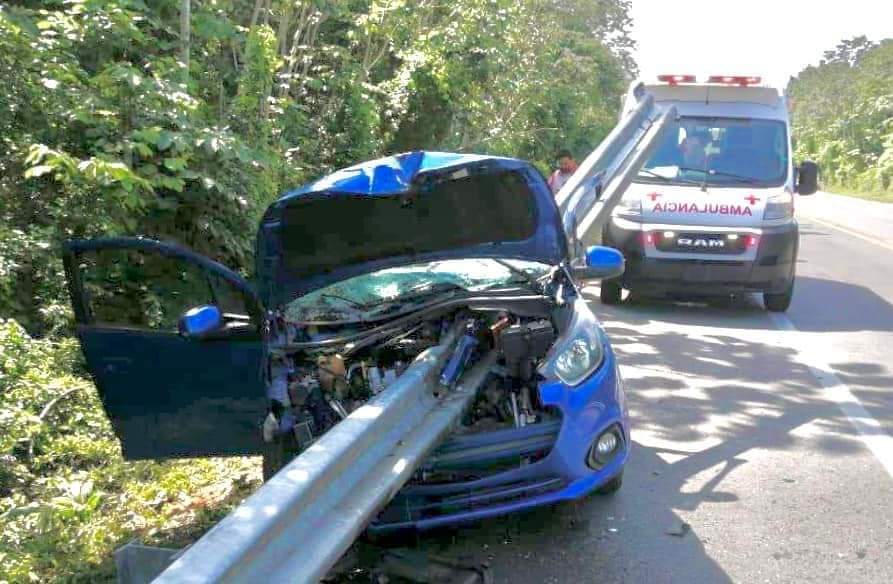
770 270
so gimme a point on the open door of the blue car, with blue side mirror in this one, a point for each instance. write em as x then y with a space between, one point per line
169 394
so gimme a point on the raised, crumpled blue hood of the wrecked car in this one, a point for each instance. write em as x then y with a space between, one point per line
403 209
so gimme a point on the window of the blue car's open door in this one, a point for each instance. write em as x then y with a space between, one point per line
133 288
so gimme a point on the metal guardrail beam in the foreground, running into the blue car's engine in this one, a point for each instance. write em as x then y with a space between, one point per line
299 523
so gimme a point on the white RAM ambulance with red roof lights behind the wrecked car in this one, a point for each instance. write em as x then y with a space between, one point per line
712 210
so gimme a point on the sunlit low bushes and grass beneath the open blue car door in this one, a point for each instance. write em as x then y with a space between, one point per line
67 498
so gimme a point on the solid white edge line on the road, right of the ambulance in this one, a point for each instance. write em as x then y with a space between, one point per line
870 432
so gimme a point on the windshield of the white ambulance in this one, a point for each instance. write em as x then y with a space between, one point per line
720 152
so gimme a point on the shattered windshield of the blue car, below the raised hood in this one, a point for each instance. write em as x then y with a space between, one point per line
365 296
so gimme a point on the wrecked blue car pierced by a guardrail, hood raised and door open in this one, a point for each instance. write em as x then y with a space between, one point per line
356 275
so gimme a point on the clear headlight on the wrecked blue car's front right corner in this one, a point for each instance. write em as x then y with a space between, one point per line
580 351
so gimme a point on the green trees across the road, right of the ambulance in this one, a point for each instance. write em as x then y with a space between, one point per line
843 117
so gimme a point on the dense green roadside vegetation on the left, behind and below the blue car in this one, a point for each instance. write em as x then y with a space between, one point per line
183 120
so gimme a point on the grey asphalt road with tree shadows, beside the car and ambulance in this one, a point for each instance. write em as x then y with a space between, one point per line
762 449
